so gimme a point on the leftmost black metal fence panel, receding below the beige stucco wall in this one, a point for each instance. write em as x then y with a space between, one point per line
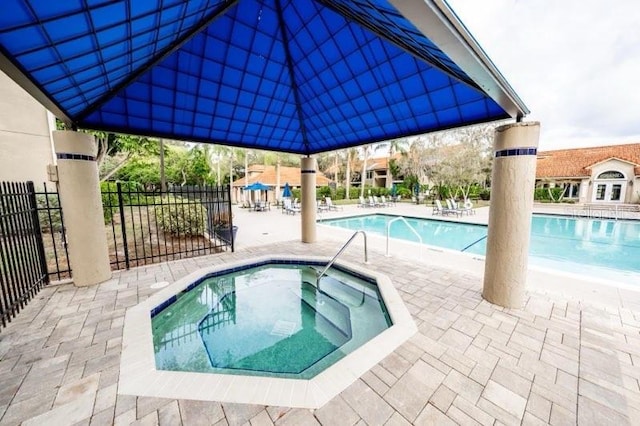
23 269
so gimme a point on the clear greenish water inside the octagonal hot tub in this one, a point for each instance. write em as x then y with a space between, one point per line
270 320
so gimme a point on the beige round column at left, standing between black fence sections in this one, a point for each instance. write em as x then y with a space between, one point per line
81 202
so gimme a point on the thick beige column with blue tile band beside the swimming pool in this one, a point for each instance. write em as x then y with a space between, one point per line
512 183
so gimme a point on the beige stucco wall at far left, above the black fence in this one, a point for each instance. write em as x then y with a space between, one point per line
25 139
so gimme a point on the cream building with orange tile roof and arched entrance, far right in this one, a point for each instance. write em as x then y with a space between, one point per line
603 174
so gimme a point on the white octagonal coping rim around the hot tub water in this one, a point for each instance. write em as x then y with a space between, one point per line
139 376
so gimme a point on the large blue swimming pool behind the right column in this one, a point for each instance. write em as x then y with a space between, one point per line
606 249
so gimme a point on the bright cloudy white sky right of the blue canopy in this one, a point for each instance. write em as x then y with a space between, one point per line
574 63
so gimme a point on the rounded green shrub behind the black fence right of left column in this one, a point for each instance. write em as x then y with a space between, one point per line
176 217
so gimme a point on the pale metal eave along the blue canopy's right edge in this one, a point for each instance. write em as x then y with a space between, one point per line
438 22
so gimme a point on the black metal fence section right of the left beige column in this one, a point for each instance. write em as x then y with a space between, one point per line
149 227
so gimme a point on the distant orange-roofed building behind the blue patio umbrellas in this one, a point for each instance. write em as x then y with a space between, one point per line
268 175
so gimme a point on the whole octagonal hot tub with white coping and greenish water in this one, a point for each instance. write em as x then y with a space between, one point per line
264 331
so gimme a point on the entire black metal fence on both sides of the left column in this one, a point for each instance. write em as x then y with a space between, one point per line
145 227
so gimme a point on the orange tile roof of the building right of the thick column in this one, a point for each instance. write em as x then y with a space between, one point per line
576 162
